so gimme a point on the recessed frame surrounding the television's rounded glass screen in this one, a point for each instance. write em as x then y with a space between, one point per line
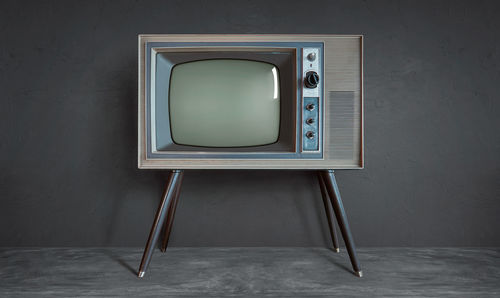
283 59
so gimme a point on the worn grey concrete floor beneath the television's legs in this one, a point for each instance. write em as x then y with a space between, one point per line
250 272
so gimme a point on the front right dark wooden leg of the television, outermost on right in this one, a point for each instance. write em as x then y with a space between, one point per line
338 208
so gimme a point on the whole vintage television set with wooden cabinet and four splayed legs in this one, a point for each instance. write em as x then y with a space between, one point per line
250 102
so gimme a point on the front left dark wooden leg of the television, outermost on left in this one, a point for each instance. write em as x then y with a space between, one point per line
159 220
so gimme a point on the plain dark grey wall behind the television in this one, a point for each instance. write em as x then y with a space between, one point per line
68 83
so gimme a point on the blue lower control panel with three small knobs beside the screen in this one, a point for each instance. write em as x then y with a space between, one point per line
310 124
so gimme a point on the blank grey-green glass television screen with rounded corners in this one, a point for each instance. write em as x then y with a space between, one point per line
224 103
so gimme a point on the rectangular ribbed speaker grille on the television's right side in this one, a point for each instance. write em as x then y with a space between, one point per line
344 124
